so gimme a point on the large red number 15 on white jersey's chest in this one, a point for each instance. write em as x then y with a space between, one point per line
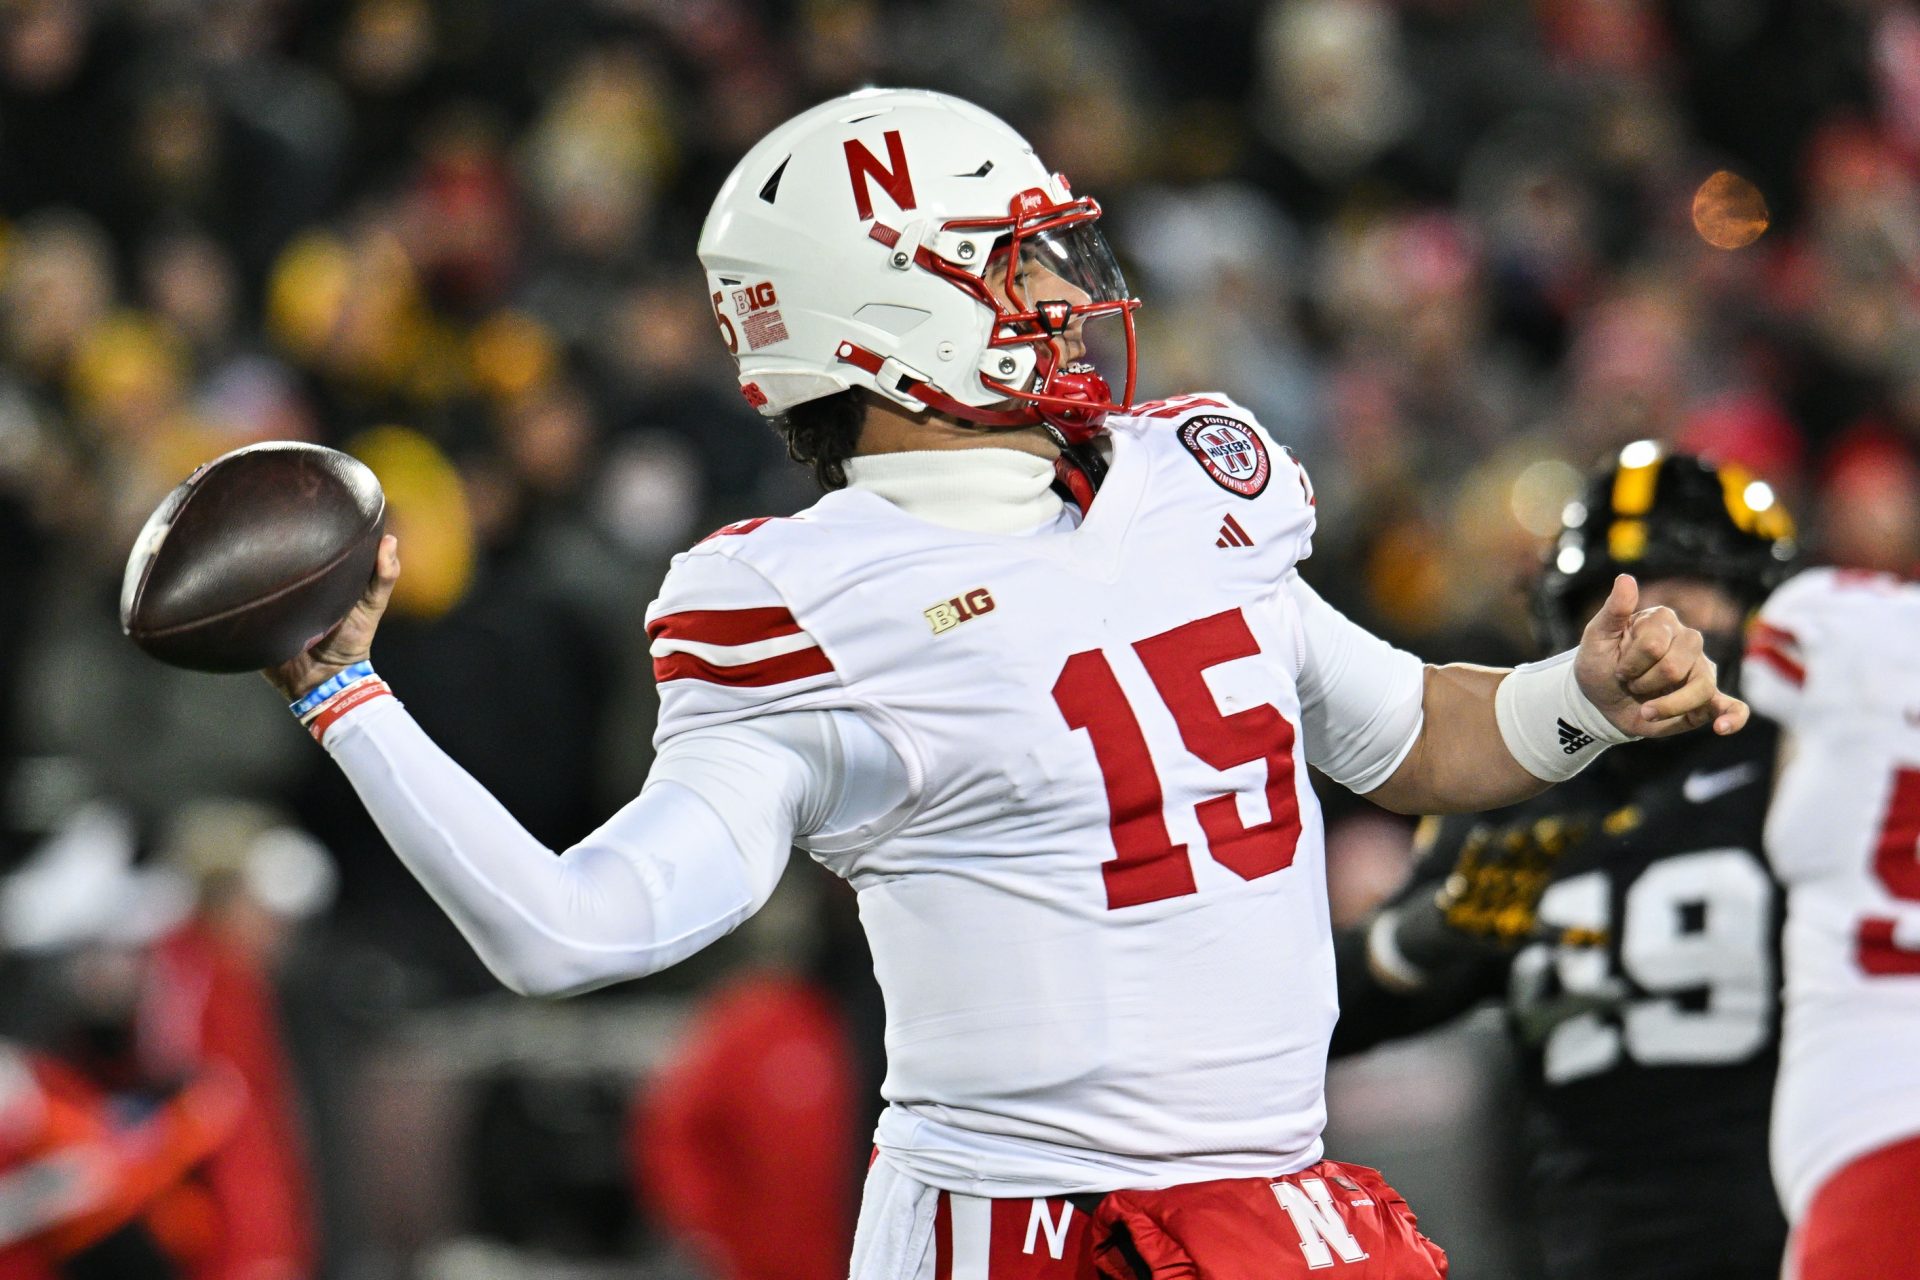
1149 866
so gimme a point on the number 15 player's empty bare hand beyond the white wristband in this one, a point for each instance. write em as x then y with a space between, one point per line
1648 673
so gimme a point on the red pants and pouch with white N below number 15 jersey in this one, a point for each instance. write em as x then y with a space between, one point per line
1335 1221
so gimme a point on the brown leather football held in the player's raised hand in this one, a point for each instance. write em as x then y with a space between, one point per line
254 557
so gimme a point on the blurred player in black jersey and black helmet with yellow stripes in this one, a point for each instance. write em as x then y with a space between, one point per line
1627 920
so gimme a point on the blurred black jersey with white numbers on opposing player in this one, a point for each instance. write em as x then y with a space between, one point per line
1648 1045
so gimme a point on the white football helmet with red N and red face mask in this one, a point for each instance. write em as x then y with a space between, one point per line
852 250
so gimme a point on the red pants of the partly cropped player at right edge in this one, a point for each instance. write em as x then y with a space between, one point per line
1865 1221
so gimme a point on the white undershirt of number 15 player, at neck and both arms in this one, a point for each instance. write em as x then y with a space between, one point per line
700 849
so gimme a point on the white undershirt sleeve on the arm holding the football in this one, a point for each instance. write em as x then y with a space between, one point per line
677 868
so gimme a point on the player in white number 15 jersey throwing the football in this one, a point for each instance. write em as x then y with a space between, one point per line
1040 678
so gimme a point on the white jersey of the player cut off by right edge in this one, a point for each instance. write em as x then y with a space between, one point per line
1836 661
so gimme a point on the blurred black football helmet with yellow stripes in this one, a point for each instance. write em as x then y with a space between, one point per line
1664 515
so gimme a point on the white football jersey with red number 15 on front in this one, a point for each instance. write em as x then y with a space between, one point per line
1101 914
